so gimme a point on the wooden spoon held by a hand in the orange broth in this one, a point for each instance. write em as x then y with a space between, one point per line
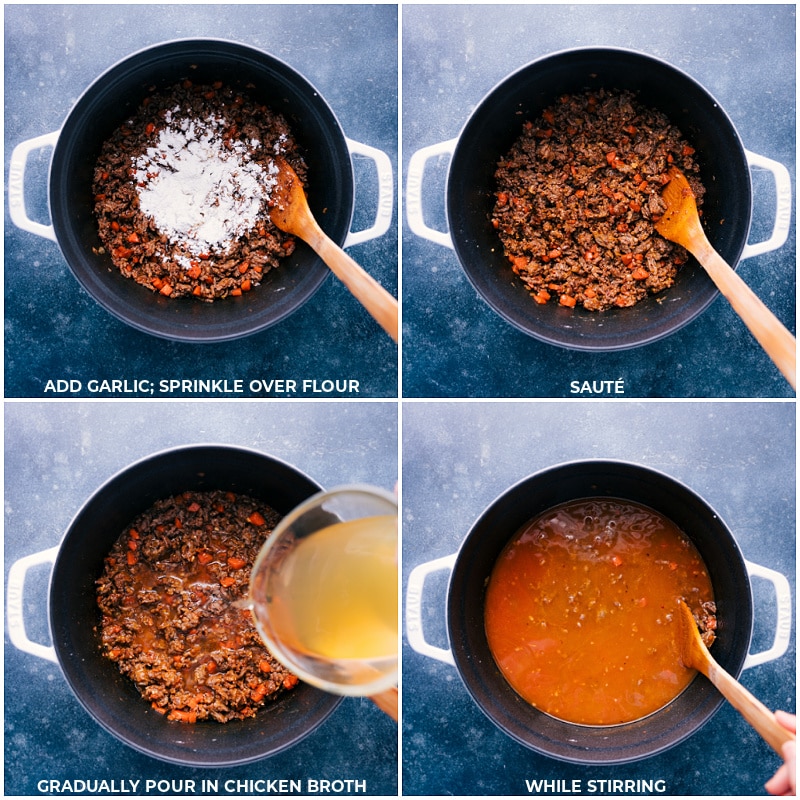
695 655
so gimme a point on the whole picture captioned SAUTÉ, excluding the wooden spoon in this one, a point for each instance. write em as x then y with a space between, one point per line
501 251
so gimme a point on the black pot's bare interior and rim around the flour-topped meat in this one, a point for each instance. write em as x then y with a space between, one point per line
111 99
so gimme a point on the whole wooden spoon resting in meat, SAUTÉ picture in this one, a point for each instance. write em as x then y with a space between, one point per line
681 223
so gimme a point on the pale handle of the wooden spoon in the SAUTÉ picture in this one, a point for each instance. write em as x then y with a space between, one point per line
770 333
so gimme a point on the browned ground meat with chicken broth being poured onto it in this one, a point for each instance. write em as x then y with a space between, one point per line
170 619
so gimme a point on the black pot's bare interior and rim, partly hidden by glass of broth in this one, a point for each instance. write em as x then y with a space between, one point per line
104 692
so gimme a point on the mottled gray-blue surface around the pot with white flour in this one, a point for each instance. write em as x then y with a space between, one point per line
54 329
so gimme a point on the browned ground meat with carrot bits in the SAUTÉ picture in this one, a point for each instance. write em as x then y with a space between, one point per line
577 196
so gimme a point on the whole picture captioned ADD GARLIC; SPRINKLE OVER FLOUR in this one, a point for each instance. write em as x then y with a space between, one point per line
142 288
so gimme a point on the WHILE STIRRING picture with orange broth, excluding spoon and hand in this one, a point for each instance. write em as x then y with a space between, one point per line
484 483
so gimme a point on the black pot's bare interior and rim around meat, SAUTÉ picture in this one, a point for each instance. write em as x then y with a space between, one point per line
494 126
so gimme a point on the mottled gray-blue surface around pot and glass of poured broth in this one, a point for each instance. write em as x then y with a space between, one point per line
57 456
